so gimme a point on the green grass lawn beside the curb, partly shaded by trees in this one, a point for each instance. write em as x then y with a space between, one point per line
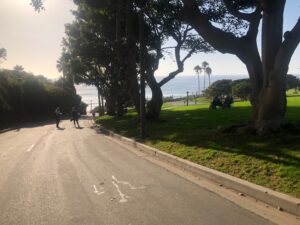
192 133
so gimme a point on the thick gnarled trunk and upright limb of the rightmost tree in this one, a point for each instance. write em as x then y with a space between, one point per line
272 98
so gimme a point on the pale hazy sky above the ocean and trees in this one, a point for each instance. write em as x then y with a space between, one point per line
33 40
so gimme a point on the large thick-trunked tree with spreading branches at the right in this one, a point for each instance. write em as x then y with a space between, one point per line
267 71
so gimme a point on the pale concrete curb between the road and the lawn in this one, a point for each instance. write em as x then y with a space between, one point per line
266 195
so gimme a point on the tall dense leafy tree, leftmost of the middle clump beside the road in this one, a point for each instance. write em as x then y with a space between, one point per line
93 56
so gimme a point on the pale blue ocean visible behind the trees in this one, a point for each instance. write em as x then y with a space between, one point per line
176 87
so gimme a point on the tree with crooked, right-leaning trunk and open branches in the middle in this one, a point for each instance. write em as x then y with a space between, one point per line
159 17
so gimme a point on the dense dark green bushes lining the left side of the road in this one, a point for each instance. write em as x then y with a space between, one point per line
25 97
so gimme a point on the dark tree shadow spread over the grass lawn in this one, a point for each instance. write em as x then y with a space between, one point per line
198 128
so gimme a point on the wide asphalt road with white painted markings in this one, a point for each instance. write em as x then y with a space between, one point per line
75 176
